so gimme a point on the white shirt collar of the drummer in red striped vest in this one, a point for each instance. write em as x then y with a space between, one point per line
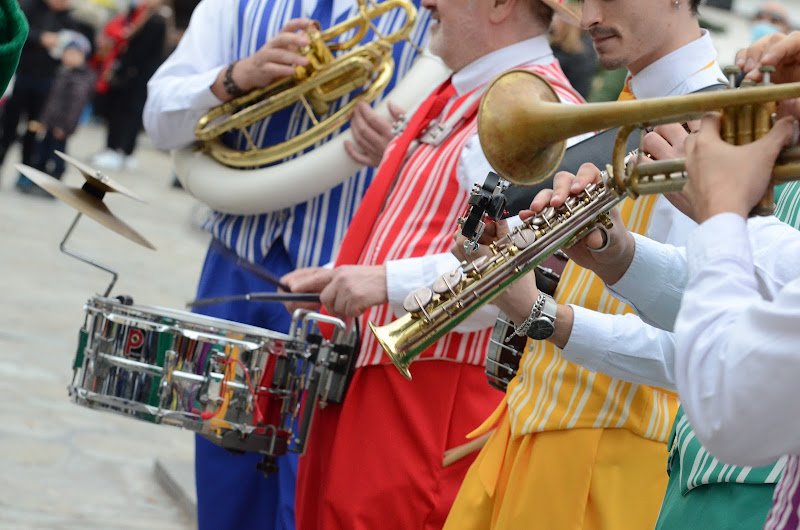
531 51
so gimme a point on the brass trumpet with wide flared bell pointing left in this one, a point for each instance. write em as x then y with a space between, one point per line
523 130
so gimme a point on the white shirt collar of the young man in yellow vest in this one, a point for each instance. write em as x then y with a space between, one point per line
683 71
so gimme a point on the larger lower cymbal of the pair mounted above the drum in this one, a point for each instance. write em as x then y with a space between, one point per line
84 201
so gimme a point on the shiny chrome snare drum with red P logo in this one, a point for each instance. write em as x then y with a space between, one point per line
240 386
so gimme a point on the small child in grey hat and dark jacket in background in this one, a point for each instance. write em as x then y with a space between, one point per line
71 91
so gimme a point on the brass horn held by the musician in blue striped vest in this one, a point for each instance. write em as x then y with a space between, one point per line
324 80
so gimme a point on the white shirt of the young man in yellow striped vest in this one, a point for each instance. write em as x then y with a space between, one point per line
621 345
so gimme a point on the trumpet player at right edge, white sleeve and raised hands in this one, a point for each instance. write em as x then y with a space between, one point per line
737 350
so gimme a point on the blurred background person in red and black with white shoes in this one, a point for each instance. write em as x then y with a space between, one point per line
133 46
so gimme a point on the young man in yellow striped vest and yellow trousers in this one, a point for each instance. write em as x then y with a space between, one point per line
608 436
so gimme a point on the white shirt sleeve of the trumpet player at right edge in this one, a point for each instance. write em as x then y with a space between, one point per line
738 357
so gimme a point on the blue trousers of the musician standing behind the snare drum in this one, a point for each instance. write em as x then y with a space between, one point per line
231 493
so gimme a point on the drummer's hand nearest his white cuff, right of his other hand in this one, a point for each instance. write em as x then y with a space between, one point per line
355 288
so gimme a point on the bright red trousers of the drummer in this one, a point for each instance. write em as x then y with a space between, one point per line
376 460
